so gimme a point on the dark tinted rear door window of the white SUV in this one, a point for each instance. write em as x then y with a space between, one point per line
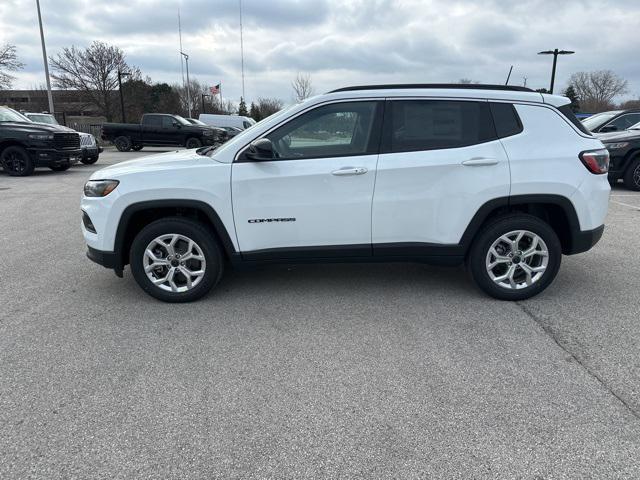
433 124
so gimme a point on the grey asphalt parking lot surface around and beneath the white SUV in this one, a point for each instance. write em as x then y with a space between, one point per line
351 371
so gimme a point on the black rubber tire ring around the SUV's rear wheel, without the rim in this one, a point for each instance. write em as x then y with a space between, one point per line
486 237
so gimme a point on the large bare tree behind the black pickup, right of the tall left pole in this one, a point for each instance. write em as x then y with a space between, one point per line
93 70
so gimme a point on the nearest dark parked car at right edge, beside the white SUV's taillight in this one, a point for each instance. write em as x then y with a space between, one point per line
624 151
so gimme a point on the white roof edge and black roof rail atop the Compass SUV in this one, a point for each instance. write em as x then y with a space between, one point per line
446 90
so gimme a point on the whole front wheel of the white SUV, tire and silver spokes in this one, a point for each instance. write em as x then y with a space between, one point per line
156 237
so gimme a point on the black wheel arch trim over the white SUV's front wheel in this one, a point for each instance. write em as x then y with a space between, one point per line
208 210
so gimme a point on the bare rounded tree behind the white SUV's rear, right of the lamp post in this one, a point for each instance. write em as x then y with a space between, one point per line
596 90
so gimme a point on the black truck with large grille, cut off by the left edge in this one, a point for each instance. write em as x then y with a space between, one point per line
25 145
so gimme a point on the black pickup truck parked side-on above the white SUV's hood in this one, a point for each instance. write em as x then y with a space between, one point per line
159 129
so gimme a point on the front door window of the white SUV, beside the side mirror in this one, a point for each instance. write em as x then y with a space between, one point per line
333 130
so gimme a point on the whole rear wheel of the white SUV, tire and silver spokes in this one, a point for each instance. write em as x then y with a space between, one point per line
480 259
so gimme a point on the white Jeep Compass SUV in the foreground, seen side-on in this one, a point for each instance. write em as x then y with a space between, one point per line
502 178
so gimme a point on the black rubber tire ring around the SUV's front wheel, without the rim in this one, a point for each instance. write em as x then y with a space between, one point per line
189 228
